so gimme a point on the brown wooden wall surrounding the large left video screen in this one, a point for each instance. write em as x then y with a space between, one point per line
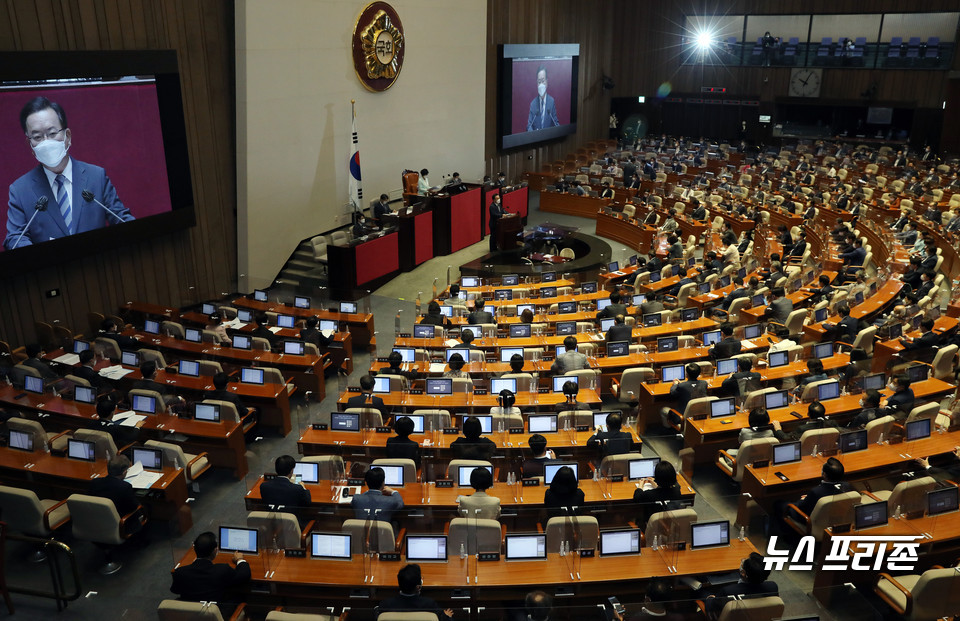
176 268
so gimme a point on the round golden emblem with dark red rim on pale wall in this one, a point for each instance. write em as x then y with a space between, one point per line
378 46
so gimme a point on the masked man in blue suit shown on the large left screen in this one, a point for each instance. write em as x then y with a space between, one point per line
59 180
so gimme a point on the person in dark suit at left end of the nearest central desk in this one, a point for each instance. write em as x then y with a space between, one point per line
206 581
